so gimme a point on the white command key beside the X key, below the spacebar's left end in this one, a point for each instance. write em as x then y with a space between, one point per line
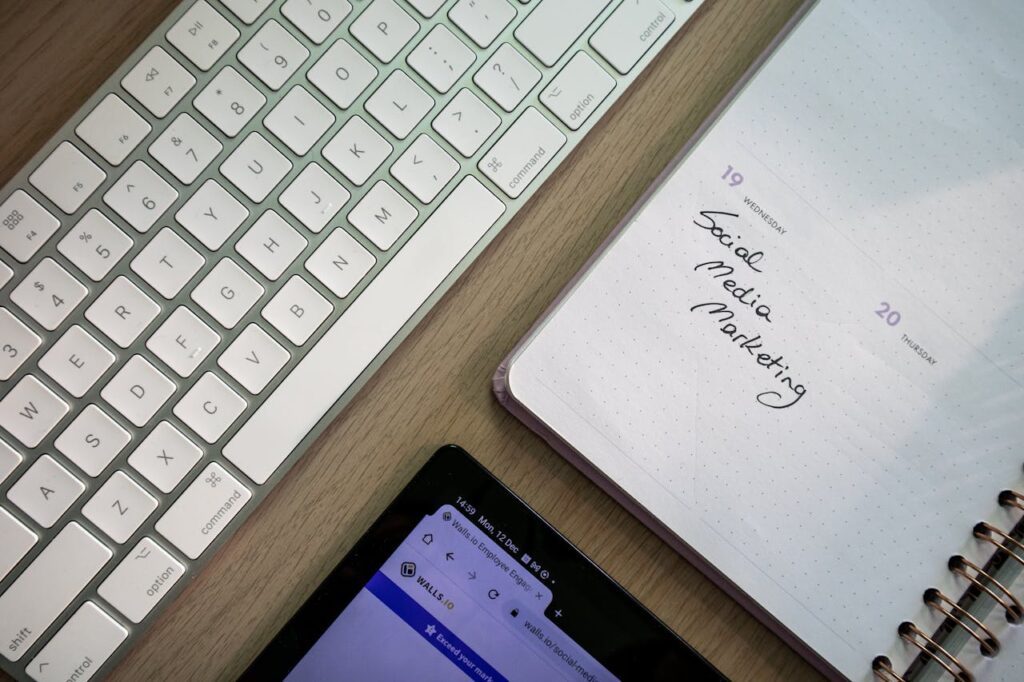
204 509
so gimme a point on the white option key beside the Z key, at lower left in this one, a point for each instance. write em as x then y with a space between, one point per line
142 580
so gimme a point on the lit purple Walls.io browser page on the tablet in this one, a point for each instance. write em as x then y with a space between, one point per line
448 606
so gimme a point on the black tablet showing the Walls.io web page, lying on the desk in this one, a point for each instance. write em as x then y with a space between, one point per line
460 580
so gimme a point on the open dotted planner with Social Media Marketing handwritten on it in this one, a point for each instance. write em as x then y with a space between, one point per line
801 358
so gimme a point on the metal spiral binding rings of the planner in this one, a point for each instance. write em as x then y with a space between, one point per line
1006 548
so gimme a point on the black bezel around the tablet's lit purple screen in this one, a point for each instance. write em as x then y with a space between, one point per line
638 648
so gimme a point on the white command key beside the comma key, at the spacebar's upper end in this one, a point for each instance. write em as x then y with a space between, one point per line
521 155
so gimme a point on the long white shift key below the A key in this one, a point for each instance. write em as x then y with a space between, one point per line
51 583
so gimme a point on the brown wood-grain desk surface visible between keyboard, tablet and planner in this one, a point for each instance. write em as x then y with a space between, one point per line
437 389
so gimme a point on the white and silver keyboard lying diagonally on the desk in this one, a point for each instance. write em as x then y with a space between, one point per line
217 252
